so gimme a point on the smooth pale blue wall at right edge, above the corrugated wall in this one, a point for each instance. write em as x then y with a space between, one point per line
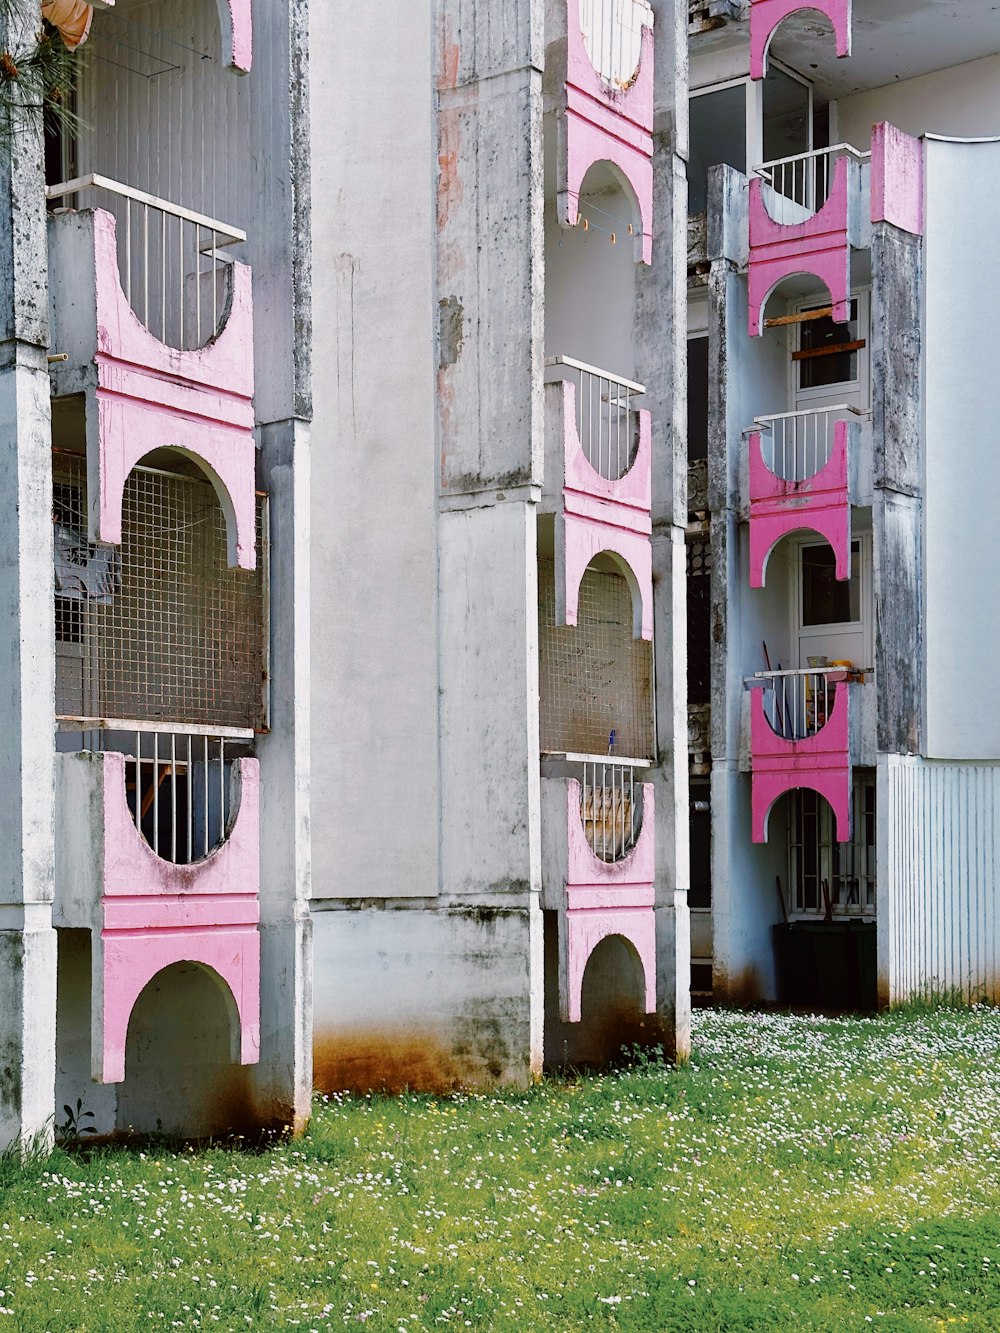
962 597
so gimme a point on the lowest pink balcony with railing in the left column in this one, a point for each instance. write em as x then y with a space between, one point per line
158 855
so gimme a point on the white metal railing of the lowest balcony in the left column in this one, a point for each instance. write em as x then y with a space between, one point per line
182 787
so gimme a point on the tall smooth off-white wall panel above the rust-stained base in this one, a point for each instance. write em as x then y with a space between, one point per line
375 455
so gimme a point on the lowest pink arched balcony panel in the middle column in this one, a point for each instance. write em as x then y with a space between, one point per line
606 899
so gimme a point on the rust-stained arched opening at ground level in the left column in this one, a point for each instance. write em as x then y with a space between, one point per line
182 1058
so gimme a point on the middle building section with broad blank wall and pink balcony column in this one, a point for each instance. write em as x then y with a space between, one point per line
499 830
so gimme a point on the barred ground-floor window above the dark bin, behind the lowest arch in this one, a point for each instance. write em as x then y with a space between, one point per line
817 858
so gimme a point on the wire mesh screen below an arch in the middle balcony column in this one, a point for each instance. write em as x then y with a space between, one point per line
594 679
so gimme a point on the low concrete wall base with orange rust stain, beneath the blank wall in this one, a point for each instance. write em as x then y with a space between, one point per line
427 995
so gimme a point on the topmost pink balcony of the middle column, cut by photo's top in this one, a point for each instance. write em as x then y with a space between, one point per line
606 107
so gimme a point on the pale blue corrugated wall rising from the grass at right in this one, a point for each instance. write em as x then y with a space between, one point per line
938 867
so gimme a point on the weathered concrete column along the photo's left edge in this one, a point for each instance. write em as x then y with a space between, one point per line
27 939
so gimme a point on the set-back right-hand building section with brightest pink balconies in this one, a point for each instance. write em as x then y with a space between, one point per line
845 747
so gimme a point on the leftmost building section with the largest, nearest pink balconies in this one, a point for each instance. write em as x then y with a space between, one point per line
155 954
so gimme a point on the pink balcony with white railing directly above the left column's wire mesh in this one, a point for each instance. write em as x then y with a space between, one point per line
157 327
